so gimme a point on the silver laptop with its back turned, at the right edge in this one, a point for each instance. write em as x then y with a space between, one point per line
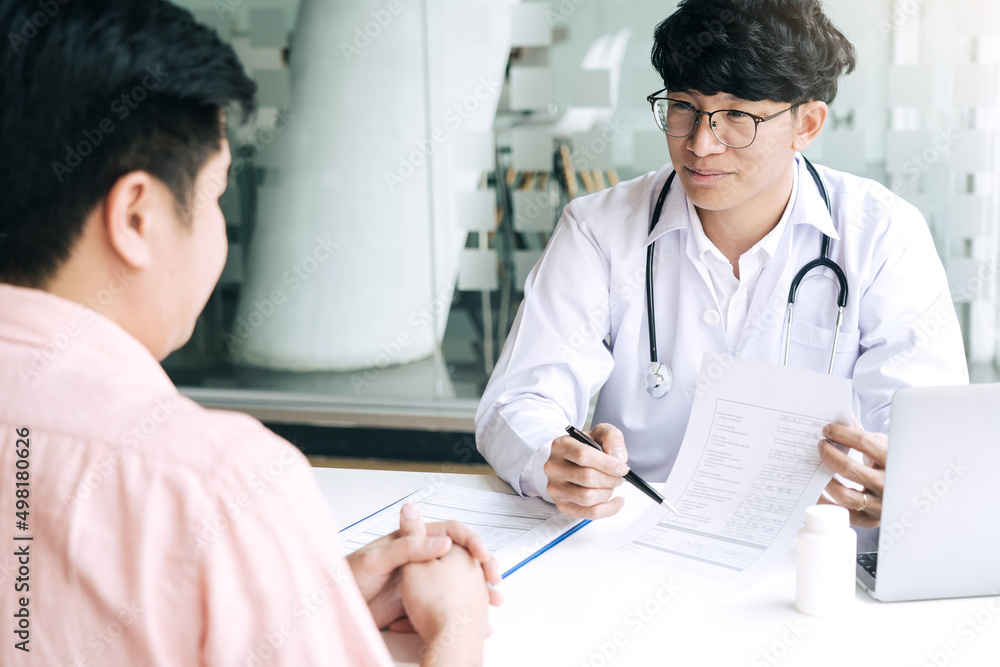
940 529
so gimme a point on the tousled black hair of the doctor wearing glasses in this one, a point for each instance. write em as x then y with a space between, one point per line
780 50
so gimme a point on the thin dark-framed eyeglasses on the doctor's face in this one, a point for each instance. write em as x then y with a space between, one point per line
733 128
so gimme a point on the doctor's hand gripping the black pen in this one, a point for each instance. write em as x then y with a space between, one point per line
582 479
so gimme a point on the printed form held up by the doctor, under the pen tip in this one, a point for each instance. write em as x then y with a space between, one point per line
747 470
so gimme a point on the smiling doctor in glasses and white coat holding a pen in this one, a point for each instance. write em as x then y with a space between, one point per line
747 86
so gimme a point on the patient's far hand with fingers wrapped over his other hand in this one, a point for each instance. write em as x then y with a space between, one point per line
377 567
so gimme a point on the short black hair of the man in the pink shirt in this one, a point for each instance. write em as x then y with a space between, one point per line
91 90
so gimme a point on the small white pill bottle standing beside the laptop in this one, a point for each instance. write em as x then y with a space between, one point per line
825 561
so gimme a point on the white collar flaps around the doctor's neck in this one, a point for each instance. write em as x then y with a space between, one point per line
805 205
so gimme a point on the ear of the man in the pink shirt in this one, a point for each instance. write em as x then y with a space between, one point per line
129 211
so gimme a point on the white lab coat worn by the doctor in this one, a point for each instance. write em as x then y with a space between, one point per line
899 329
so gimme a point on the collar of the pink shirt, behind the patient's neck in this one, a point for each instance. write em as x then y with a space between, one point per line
57 326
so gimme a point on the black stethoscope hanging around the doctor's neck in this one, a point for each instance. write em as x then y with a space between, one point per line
658 377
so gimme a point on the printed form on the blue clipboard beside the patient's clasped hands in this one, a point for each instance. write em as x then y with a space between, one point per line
513 528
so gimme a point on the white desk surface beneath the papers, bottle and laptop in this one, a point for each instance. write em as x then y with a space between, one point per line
563 609
